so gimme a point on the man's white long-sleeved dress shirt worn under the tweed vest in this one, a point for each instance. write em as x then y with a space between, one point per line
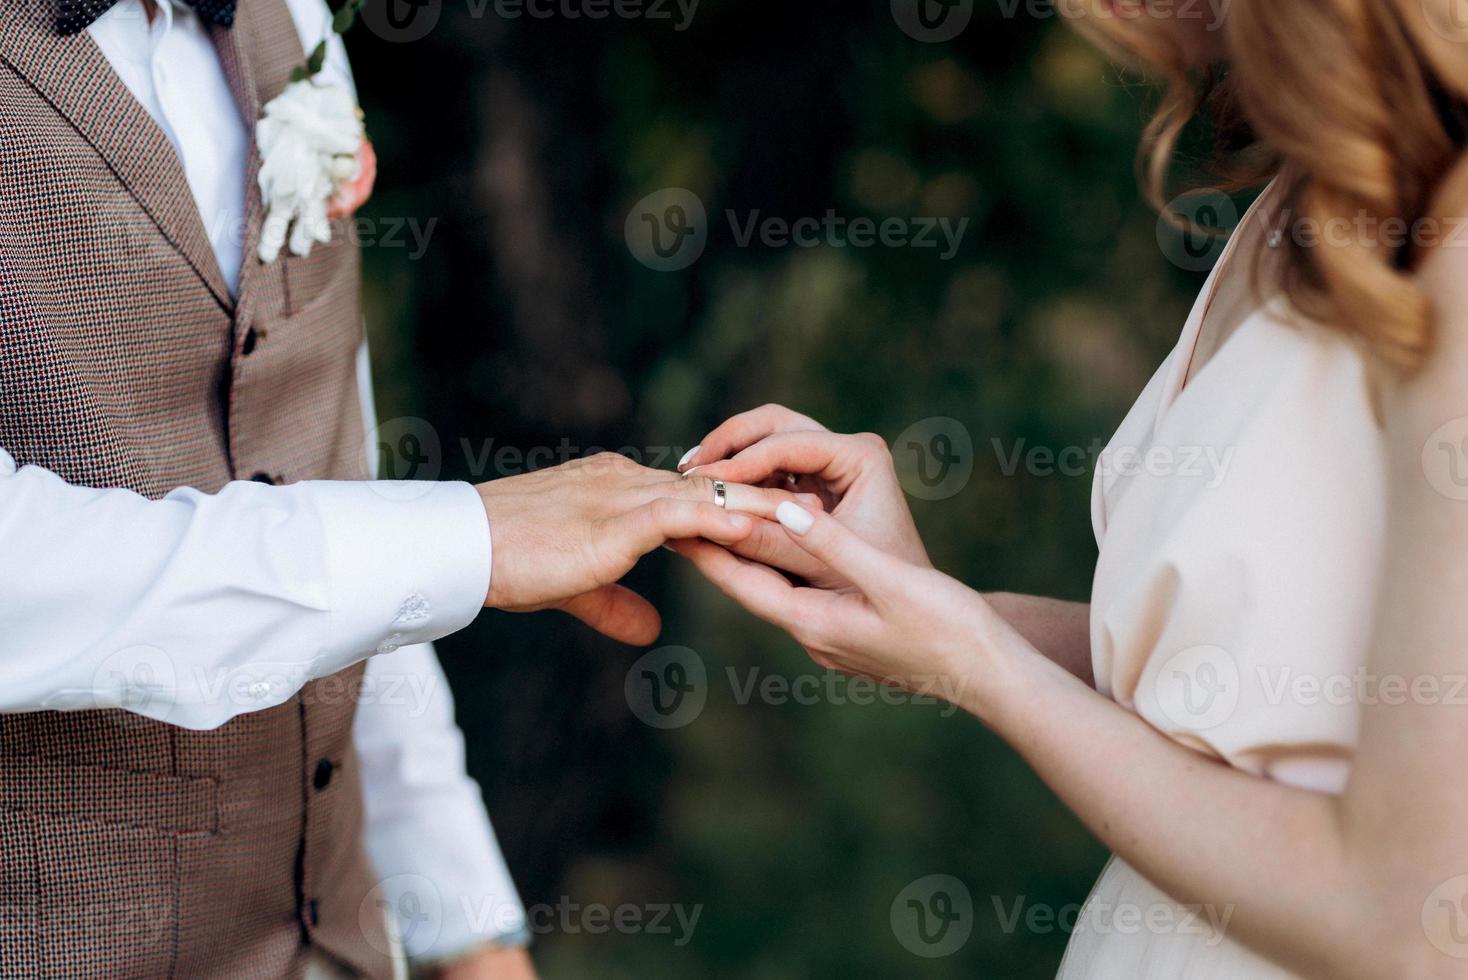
197 608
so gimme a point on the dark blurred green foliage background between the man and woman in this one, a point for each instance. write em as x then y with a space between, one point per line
529 322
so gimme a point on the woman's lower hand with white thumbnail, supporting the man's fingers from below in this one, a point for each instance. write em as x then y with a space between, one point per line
899 623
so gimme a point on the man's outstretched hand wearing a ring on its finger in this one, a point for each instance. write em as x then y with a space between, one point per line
563 536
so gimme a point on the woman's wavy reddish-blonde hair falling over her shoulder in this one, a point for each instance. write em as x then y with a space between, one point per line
1359 108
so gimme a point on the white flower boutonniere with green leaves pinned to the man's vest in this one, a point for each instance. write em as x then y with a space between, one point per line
310 139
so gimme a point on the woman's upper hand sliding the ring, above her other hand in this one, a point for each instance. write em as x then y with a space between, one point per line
852 475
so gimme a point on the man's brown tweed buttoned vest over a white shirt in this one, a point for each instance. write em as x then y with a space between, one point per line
130 847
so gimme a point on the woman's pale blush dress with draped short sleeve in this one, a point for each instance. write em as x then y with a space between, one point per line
1234 593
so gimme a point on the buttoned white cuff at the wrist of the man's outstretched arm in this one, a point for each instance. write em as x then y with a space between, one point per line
407 563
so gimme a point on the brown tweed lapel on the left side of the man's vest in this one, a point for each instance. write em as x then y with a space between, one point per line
77 80
